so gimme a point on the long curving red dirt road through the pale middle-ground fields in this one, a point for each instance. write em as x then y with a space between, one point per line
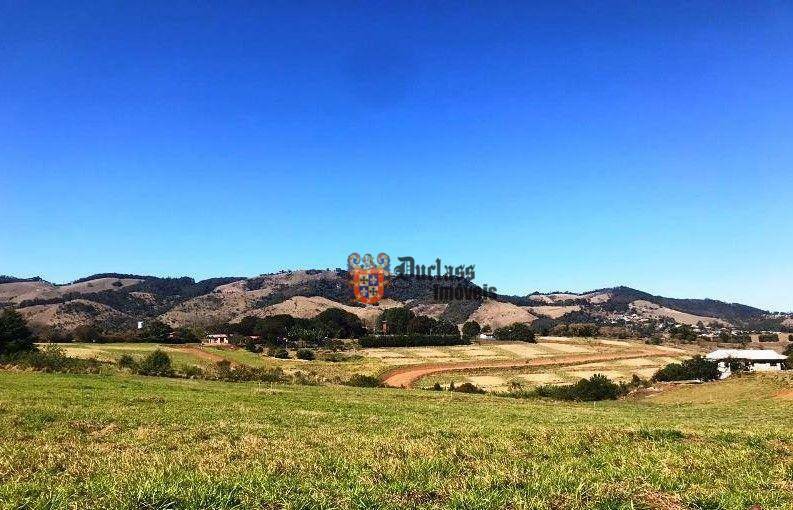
405 377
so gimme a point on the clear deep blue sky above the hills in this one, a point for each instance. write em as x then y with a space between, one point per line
561 147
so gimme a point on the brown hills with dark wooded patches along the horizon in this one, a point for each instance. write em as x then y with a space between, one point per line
116 301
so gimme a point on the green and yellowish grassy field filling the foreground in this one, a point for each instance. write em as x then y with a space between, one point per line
115 441
